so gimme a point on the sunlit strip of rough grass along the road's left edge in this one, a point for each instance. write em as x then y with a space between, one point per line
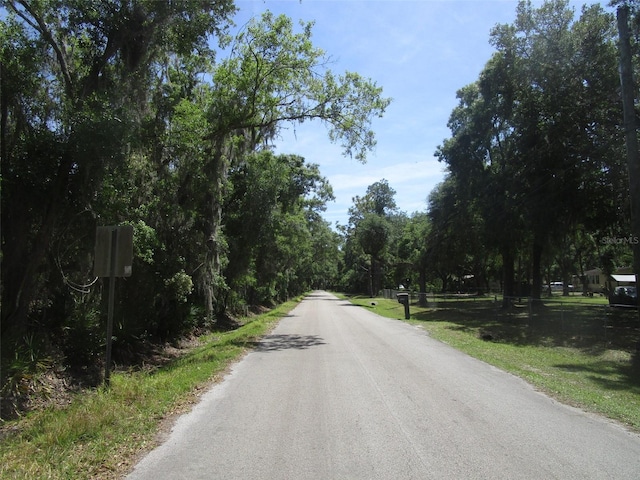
102 433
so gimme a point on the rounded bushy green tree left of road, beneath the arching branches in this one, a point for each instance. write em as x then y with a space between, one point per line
278 245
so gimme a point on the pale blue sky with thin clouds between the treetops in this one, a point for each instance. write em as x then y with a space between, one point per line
421 53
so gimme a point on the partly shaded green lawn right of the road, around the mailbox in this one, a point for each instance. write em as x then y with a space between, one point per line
561 355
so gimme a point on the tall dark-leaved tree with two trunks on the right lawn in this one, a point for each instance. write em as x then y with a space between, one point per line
536 139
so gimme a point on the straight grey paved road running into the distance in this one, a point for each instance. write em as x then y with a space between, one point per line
336 392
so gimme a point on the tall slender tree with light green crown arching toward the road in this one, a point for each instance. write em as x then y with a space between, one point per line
275 76
